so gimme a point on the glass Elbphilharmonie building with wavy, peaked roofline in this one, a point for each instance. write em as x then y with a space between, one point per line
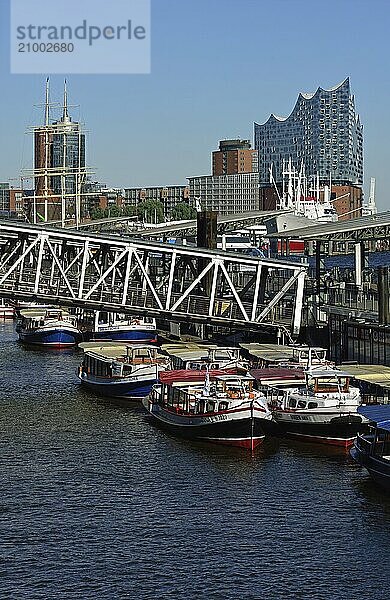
323 131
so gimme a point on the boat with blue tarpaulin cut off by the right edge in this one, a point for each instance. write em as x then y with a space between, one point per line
372 451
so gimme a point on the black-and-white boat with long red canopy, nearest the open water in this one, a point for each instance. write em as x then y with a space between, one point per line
213 406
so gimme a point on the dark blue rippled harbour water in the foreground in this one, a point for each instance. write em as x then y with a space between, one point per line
97 504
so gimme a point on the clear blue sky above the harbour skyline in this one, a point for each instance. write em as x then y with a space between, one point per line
216 67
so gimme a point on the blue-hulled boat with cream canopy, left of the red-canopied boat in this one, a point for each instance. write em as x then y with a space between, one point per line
120 371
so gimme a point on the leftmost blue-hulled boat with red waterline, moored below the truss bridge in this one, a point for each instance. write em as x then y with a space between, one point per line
48 327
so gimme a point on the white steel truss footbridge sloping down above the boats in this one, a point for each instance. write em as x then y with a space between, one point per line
176 283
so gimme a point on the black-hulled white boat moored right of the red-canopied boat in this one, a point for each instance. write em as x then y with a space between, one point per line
324 409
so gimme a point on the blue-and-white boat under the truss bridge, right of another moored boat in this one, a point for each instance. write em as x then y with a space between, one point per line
109 326
